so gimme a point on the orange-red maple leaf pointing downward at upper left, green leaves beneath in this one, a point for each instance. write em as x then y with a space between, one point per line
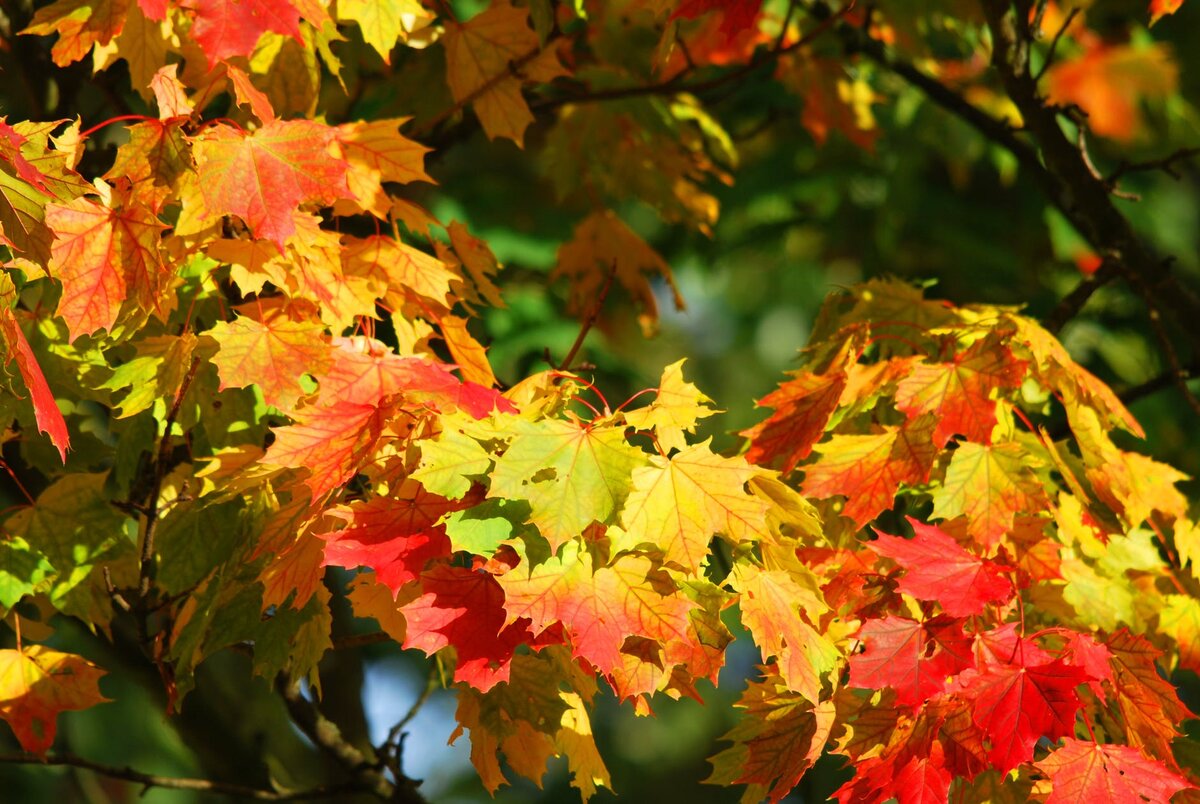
103 257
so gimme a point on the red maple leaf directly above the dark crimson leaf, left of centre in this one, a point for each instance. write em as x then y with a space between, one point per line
395 536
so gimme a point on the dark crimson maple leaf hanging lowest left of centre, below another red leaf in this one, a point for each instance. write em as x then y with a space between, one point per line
464 609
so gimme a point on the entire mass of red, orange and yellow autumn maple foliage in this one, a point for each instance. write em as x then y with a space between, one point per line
241 343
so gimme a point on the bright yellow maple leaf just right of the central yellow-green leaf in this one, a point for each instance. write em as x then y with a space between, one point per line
679 505
